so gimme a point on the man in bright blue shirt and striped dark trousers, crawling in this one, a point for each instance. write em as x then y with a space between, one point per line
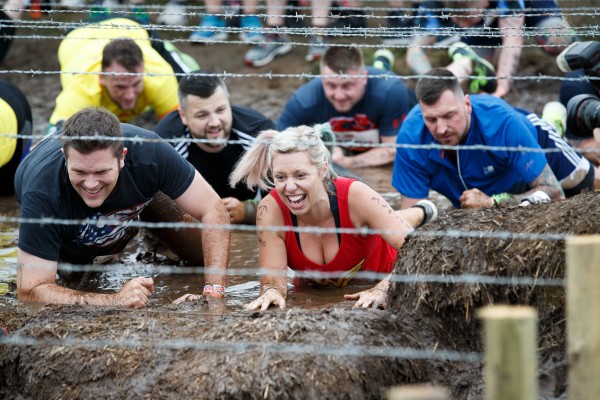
472 178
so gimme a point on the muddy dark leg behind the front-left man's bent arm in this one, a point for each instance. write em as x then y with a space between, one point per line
185 242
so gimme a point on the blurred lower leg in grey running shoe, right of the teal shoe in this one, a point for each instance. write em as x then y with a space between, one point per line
275 44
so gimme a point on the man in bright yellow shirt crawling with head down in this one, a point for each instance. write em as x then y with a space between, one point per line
116 64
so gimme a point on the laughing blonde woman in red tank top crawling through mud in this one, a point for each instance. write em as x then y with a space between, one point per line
305 192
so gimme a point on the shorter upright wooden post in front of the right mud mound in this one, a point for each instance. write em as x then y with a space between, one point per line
510 342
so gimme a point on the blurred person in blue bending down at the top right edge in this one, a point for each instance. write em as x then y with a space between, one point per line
490 37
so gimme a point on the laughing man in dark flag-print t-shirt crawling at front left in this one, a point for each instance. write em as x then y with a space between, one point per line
105 184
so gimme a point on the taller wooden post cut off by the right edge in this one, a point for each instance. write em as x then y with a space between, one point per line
583 322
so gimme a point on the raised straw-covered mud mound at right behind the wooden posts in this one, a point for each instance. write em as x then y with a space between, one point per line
449 308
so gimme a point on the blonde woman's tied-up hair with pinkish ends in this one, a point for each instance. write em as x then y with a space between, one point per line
254 168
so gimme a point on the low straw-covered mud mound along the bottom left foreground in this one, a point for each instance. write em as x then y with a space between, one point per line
180 353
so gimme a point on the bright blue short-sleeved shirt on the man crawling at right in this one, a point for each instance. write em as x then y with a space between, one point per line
493 123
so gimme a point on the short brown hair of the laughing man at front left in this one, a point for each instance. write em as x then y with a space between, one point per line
93 121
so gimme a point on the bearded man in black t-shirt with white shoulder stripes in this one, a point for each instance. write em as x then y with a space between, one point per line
205 113
